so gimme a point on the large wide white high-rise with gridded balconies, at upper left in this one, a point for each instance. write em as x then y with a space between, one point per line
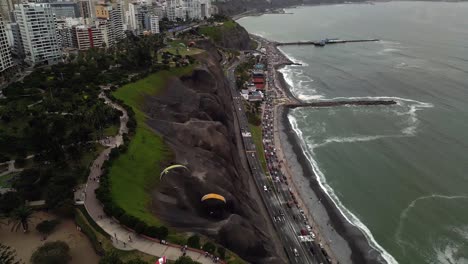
38 30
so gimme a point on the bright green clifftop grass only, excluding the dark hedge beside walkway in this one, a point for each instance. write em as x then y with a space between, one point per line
136 172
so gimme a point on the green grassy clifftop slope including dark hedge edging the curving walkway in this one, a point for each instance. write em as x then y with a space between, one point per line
134 168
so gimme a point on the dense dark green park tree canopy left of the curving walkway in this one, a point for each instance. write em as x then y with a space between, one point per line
55 114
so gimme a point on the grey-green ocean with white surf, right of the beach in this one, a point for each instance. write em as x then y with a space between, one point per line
399 173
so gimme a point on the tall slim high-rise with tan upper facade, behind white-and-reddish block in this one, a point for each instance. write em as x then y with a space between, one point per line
110 21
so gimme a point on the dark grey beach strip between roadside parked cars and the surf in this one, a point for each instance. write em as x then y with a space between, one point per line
347 243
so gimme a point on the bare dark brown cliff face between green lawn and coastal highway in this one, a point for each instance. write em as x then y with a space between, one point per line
195 117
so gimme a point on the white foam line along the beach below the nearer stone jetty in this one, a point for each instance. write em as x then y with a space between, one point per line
348 215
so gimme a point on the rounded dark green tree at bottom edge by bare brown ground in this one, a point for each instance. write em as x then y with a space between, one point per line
57 252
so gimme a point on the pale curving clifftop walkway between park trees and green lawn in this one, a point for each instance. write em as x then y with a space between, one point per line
119 234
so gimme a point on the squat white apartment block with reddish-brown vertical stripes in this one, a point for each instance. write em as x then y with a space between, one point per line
86 37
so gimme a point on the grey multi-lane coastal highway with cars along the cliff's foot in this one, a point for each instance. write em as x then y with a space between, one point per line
287 225
